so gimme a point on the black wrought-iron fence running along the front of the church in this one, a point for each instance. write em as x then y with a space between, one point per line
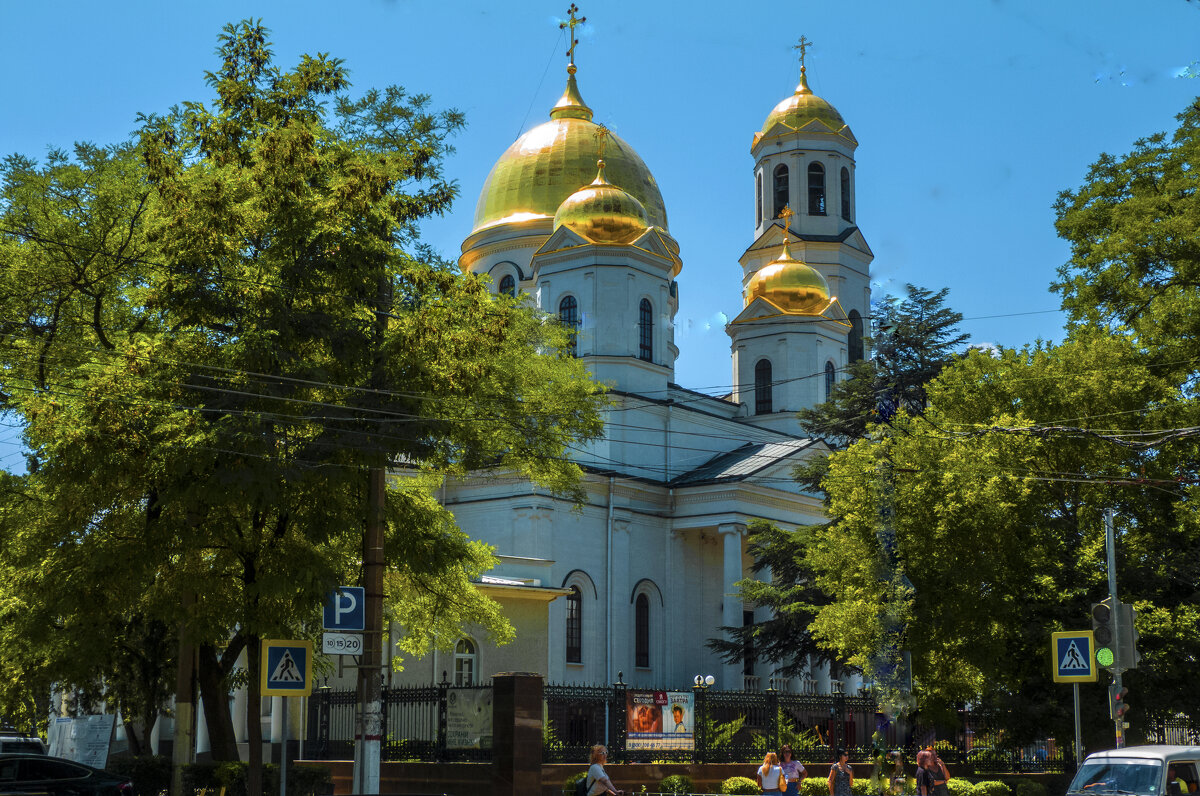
445 723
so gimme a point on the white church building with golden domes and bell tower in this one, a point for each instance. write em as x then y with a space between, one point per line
640 578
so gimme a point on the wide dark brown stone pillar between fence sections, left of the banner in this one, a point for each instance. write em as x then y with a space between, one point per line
517 734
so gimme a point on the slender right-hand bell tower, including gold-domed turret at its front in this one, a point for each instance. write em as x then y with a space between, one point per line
807 276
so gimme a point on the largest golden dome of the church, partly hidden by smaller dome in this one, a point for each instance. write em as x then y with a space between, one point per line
550 163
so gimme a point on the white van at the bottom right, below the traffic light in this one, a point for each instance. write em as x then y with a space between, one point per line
1141 771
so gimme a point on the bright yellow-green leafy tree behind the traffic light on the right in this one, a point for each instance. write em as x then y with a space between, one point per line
998 517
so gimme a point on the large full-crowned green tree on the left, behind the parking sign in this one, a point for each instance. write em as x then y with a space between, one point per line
281 333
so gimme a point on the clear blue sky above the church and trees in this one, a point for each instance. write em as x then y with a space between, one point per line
971 115
